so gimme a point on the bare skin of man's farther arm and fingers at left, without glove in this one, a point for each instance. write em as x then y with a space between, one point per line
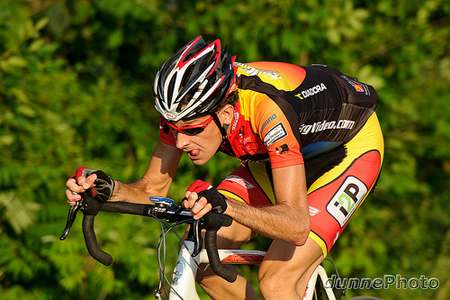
155 182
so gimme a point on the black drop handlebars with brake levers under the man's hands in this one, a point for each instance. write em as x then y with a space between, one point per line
162 208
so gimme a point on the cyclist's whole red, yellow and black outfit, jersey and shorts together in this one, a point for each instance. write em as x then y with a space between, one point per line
289 115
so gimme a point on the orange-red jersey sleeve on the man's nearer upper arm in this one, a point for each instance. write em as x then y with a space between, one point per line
275 131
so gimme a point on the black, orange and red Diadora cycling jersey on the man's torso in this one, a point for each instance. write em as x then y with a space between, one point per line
288 114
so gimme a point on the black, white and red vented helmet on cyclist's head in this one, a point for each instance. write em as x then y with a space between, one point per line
194 81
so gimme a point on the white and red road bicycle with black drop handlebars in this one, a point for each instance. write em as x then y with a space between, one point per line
191 255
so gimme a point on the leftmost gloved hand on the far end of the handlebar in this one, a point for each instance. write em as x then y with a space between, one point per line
96 182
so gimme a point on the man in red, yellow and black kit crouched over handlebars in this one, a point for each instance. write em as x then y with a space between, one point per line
311 149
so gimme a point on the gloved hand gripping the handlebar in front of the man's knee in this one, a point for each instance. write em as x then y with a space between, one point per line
202 197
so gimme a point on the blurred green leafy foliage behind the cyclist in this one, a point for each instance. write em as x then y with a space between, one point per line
75 90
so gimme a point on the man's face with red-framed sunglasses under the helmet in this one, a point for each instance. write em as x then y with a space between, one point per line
202 146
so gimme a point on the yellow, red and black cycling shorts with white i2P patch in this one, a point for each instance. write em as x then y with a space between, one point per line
338 183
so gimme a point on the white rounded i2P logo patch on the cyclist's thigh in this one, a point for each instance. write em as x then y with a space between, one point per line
347 199
